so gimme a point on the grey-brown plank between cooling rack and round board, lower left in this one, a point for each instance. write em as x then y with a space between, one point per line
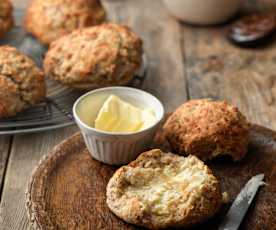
25 154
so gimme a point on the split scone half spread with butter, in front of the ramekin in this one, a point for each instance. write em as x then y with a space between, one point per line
162 190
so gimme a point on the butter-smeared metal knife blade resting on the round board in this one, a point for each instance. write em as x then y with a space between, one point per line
237 211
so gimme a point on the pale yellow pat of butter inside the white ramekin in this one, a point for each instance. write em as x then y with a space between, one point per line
117 115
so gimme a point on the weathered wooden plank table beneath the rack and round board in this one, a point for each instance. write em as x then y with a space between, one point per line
185 62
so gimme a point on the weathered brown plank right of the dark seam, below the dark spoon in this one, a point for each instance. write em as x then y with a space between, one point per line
245 77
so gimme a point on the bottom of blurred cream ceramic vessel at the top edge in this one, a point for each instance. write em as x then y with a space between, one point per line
203 12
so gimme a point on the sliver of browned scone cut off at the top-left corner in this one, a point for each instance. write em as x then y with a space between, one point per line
6 17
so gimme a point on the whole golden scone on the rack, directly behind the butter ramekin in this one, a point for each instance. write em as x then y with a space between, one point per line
99 56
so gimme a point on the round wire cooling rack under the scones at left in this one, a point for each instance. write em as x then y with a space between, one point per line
56 111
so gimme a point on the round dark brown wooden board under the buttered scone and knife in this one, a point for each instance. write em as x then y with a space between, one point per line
67 190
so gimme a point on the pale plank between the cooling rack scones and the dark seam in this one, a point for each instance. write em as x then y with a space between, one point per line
161 35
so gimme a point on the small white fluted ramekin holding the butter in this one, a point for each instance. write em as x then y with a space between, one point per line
115 148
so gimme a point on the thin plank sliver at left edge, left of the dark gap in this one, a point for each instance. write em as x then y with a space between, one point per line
5 143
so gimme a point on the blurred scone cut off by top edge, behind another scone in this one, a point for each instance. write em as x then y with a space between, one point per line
48 20
